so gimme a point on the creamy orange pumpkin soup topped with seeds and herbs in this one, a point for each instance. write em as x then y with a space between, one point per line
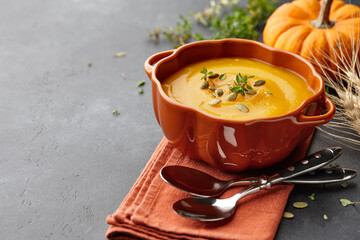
278 92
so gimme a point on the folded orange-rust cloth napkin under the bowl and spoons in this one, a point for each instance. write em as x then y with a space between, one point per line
146 212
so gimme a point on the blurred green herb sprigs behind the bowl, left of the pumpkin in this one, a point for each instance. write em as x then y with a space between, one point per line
224 18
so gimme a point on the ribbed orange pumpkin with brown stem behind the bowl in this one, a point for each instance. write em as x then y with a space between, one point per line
323 30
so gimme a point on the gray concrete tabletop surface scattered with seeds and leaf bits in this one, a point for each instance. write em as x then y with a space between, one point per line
66 161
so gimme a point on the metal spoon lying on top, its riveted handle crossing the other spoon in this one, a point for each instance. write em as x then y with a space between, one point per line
212 209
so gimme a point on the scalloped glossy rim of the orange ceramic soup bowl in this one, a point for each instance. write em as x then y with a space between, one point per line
292 114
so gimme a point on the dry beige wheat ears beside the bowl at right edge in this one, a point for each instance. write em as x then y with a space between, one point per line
342 75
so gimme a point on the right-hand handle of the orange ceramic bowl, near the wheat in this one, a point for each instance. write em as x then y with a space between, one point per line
319 119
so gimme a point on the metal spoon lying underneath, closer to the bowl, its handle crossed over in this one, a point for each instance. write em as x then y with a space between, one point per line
201 184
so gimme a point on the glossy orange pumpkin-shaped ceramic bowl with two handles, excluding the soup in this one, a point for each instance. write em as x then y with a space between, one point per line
227 144
